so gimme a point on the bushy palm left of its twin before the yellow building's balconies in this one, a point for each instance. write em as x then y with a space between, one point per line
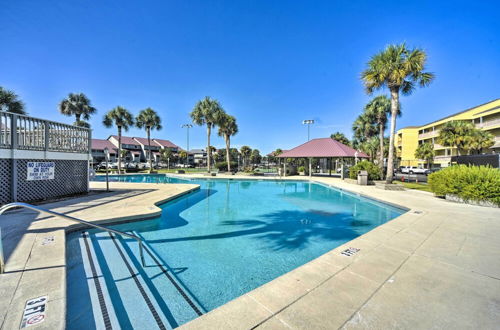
456 134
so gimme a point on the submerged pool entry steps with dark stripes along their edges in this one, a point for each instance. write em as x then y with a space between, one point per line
154 294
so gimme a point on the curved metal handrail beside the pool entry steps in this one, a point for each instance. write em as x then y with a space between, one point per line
67 217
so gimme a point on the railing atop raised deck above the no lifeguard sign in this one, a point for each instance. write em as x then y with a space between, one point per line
29 133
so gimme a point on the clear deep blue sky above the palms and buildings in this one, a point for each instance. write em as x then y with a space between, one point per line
270 63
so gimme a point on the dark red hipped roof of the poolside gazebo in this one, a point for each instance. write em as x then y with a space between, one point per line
322 148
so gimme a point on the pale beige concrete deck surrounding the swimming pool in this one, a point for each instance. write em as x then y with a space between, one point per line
437 265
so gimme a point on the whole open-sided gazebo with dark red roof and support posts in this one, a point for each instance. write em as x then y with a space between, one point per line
323 148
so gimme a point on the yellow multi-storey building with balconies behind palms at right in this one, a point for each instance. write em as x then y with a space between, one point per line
485 116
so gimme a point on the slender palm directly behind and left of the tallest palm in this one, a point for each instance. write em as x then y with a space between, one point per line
379 109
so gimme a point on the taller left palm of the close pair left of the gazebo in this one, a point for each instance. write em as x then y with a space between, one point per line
207 112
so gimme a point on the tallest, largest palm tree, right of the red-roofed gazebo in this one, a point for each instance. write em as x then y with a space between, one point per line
399 69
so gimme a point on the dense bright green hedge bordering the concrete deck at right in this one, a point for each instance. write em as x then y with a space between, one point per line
474 183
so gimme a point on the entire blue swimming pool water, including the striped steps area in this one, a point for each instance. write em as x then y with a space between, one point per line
213 245
